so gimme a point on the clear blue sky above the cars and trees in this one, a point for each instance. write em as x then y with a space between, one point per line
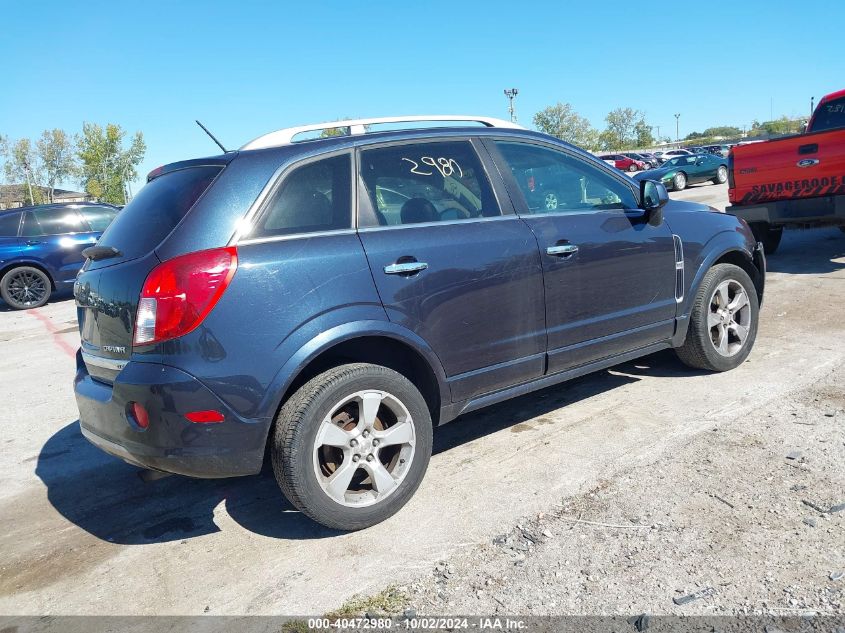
245 68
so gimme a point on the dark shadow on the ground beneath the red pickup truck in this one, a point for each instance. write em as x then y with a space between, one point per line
809 252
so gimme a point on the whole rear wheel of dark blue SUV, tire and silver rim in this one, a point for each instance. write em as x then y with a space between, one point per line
351 446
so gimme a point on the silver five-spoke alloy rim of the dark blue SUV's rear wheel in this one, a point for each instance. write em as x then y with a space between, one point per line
364 448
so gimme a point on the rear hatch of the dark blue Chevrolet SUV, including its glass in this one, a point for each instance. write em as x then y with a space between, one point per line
108 287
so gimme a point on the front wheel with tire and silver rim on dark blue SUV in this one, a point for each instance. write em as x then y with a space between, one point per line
723 320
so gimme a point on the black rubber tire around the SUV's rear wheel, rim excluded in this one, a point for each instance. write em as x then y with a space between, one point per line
293 444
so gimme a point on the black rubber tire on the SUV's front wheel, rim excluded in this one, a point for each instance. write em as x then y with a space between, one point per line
699 349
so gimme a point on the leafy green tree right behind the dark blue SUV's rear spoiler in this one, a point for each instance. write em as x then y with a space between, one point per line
105 165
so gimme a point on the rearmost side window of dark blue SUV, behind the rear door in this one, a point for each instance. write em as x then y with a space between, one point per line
314 197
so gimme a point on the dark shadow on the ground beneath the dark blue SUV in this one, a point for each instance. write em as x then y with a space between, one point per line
107 497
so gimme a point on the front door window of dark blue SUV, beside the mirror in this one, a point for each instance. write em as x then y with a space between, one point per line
556 182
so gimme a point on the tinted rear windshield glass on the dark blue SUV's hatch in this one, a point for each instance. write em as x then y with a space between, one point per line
156 210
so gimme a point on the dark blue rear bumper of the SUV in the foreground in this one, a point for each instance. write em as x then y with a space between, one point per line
171 443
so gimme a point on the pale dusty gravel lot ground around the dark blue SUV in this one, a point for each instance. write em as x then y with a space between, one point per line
722 484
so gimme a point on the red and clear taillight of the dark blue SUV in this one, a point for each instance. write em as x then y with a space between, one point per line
179 293
